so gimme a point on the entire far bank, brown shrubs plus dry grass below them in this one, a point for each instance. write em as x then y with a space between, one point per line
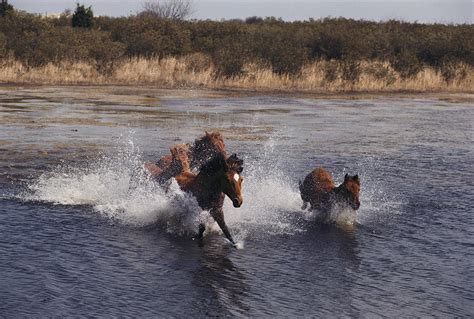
327 55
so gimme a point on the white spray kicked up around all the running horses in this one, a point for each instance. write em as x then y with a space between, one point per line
117 186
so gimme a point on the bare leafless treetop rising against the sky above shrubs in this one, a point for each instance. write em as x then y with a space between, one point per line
168 9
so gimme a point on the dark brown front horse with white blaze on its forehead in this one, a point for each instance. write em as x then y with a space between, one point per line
217 178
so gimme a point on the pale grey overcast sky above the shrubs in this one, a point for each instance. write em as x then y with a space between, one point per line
425 11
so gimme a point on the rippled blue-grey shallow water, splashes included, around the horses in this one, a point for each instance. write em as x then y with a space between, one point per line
86 232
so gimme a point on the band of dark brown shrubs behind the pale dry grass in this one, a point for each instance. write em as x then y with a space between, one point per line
285 47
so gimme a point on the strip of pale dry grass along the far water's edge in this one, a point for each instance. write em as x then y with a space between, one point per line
197 71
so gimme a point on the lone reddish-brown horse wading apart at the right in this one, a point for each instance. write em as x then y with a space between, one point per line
318 189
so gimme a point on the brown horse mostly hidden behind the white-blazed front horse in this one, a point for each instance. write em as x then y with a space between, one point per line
203 149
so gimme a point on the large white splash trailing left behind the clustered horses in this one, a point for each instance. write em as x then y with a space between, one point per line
118 187
